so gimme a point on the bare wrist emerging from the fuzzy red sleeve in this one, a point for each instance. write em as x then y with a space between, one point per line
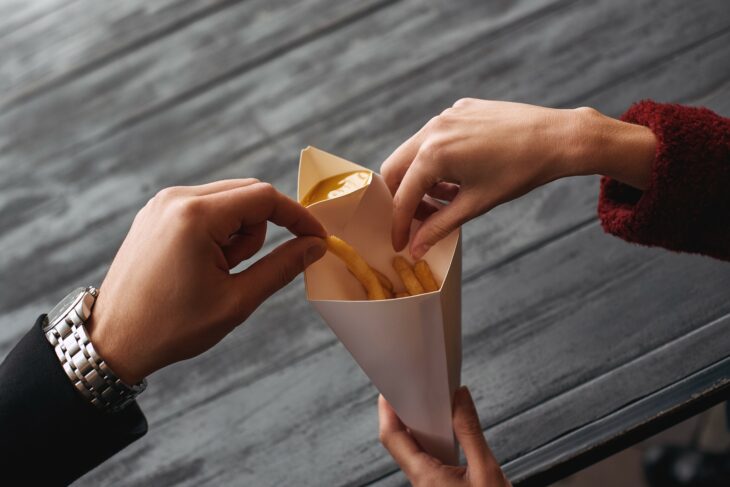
609 147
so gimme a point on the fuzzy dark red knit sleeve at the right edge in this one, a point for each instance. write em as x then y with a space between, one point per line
686 206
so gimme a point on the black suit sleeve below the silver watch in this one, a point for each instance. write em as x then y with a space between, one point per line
48 425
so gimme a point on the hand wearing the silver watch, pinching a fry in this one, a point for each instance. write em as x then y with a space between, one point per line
169 296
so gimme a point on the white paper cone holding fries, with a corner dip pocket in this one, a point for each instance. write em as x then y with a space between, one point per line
409 347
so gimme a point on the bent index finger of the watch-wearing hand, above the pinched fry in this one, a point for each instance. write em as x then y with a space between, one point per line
256 203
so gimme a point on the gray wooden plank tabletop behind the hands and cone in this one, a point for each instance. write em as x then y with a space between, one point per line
104 103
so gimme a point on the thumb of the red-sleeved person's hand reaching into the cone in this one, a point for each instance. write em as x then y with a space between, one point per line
441 223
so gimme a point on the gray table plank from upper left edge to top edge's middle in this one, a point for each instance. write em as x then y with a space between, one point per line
165 73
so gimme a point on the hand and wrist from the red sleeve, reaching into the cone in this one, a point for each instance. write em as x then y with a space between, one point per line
479 154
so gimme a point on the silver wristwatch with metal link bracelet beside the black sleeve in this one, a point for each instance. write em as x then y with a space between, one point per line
88 372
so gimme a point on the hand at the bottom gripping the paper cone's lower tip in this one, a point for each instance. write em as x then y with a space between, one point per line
424 470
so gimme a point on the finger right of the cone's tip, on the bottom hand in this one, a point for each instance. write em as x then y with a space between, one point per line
468 430
